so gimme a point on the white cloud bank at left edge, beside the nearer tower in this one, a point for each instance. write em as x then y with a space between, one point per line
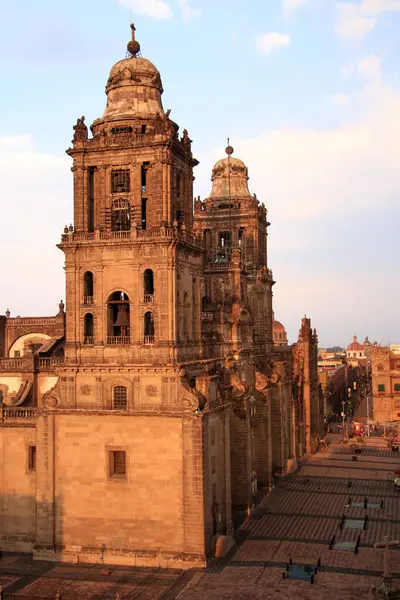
38 201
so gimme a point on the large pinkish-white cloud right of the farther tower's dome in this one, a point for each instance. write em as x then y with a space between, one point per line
308 173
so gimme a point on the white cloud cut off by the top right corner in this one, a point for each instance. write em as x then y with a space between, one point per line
357 20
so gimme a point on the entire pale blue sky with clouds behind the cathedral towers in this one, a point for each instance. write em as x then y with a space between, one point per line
308 92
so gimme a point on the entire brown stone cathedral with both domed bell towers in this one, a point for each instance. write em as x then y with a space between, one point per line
139 423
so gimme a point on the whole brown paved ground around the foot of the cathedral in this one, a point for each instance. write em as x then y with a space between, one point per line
296 521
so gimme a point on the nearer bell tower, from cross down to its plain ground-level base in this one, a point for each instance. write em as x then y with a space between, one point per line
125 422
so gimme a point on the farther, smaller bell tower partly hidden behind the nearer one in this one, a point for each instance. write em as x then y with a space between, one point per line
237 294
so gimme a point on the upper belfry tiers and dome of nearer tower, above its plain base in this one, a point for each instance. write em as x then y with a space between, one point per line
132 263
